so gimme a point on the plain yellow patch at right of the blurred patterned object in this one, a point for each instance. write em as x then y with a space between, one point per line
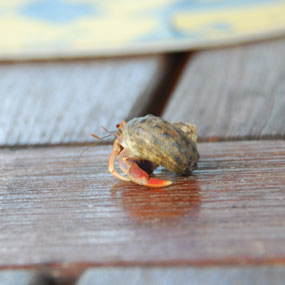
254 19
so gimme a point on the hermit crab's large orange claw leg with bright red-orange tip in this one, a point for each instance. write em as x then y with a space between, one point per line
128 165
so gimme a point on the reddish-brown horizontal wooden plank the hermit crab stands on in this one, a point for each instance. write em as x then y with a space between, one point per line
56 210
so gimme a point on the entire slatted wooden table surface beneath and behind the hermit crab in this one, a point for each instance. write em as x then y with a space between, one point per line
61 212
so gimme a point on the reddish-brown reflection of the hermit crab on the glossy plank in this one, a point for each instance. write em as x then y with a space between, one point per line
159 205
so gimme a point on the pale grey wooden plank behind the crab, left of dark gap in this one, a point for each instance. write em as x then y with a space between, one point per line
63 102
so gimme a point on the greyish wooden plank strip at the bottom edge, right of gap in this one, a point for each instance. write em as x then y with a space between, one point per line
206 276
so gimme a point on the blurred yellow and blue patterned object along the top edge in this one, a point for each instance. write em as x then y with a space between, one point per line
64 28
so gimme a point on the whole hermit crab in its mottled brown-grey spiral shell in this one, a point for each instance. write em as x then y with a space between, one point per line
144 143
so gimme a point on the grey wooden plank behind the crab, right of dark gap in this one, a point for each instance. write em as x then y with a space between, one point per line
231 93
